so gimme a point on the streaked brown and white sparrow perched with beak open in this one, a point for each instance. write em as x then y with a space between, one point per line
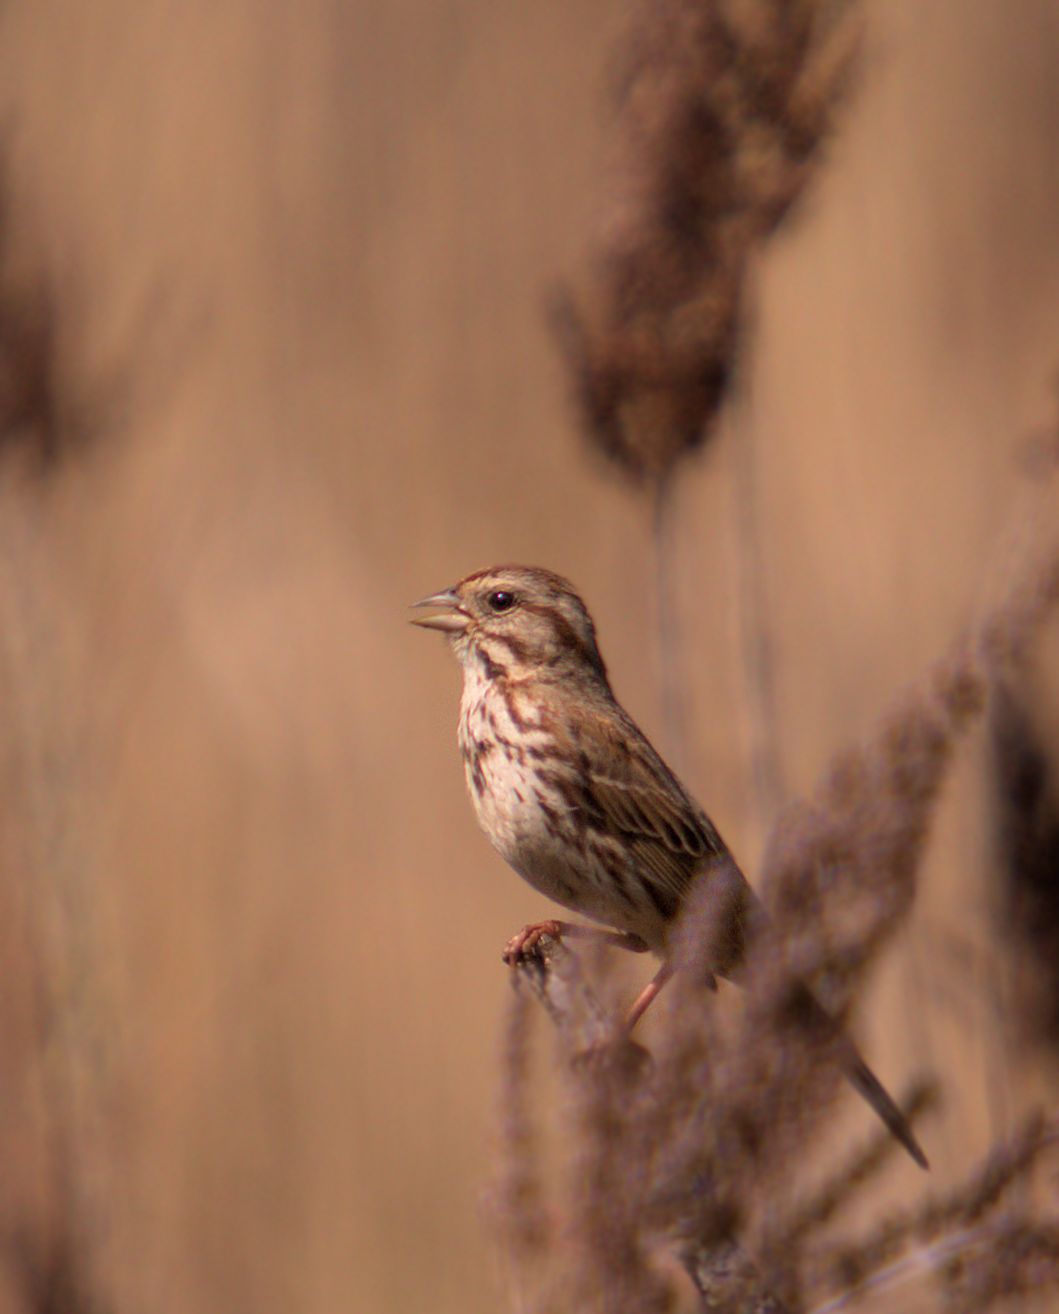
572 794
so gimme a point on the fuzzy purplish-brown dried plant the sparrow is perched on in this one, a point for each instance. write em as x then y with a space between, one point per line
696 1153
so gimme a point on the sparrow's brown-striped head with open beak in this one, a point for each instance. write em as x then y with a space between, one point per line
518 621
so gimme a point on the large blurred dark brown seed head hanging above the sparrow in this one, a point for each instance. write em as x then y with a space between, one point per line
723 110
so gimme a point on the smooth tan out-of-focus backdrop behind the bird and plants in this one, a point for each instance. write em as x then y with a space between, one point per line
309 252
